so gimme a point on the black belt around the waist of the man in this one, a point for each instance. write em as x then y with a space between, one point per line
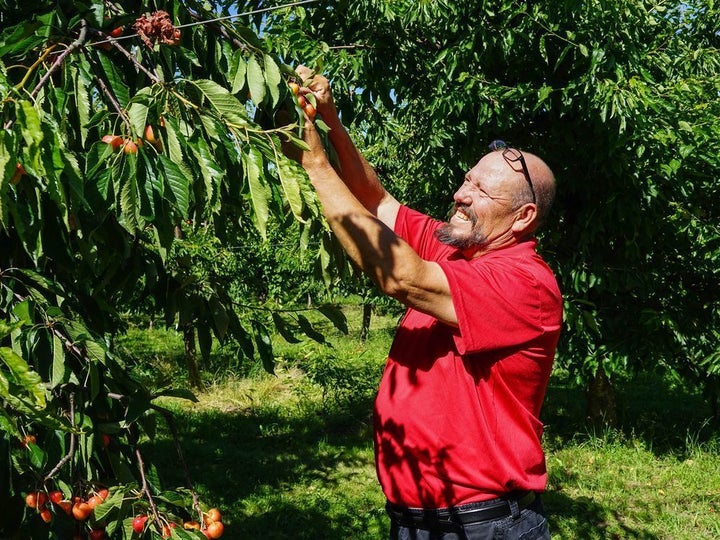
452 519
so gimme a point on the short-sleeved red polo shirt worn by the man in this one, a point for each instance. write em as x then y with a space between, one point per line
456 415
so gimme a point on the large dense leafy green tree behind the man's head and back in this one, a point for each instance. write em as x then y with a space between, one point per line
619 97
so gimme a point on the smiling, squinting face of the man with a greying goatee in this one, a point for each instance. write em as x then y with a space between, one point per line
485 207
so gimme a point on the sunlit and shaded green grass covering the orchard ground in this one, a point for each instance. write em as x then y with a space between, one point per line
290 455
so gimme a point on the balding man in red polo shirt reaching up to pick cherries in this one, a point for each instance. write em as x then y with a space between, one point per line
457 434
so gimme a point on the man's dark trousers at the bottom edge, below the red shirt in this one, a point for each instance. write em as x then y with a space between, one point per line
528 523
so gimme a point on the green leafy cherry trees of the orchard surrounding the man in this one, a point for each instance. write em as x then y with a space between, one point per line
140 140
